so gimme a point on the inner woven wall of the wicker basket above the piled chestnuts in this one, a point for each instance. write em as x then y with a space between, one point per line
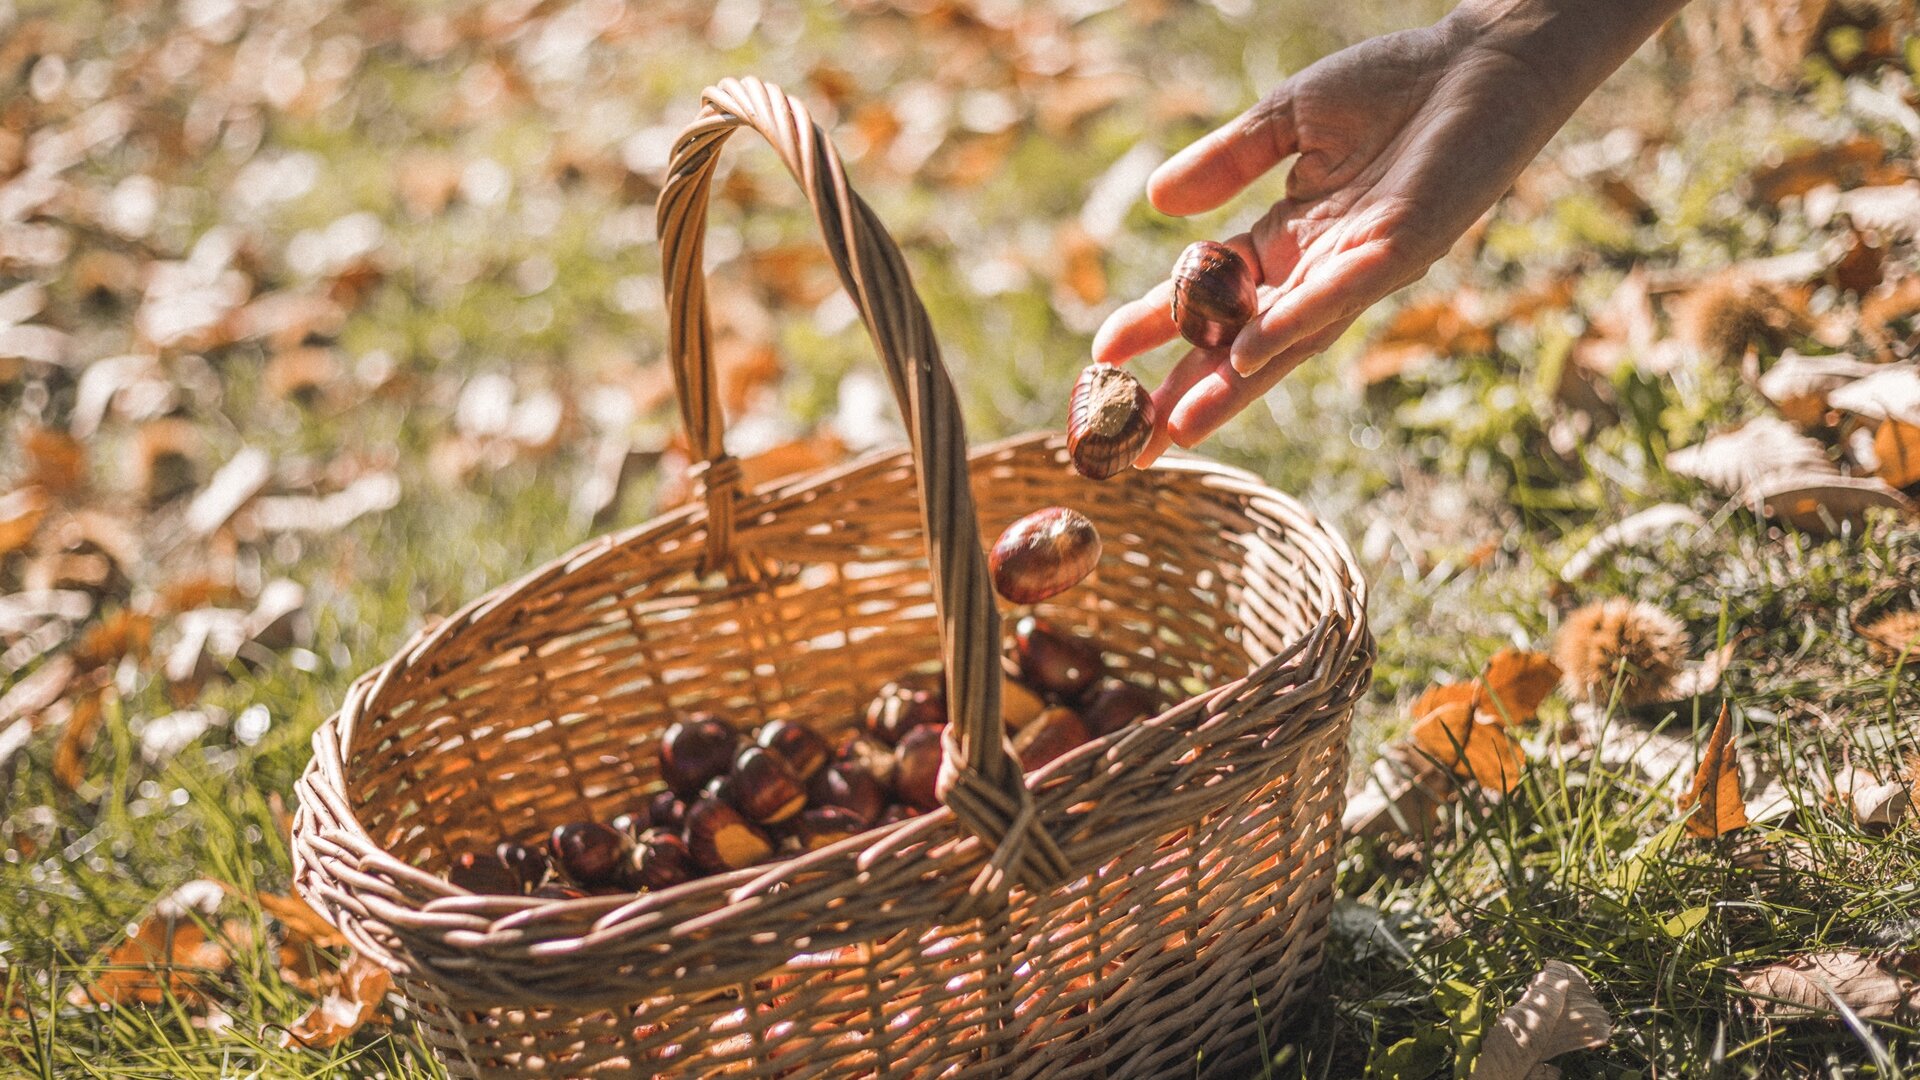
544 702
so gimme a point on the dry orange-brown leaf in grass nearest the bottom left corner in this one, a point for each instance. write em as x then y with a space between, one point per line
168 952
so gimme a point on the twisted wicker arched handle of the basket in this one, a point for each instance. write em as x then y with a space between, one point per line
980 779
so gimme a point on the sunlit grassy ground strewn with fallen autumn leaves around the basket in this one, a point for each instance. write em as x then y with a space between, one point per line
320 320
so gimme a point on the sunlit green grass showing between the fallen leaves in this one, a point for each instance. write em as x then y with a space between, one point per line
1460 485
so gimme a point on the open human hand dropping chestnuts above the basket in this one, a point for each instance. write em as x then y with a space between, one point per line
1403 143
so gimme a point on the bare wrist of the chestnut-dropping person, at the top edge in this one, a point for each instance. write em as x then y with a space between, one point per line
1573 45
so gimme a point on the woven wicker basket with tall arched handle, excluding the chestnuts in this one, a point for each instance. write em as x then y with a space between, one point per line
1138 908
